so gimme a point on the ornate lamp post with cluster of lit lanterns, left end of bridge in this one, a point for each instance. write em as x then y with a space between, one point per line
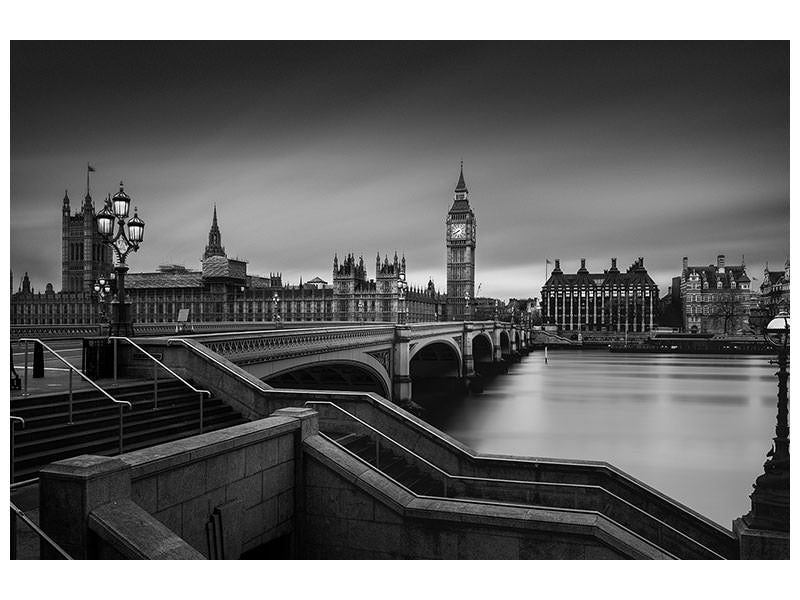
123 243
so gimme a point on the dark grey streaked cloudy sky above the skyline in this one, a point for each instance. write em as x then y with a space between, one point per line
571 150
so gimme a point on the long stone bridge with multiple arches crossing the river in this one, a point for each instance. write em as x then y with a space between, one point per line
382 358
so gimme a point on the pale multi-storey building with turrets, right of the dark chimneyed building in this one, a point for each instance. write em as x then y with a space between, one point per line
715 298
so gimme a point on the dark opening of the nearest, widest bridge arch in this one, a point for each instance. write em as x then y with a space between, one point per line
336 374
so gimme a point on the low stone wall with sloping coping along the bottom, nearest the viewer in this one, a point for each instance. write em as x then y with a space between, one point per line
354 512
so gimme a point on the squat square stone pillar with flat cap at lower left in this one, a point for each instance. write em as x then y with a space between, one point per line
71 489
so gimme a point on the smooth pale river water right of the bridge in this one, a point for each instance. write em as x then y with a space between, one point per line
695 427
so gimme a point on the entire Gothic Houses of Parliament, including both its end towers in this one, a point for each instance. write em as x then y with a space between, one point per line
222 289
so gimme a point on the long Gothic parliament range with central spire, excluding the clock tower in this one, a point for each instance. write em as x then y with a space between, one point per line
223 291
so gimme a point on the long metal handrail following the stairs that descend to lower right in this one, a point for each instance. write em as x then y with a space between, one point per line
450 476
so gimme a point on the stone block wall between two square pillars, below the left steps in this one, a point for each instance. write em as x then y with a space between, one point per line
183 482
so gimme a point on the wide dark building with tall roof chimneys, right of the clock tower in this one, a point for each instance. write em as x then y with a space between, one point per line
607 301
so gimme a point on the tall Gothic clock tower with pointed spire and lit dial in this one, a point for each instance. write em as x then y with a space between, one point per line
460 238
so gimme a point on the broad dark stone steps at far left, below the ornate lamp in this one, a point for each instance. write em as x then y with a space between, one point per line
48 436
